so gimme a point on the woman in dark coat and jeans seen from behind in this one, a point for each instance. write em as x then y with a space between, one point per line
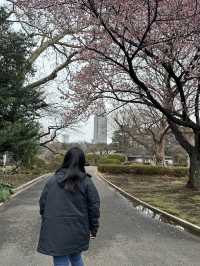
69 206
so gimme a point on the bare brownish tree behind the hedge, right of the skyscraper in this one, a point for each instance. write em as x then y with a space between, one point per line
146 127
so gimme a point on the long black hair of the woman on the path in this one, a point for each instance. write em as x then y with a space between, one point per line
74 168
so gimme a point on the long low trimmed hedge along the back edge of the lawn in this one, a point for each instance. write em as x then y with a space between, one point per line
138 169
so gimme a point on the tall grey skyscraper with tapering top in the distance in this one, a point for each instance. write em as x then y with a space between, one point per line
100 125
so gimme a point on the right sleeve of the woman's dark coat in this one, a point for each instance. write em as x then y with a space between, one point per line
93 201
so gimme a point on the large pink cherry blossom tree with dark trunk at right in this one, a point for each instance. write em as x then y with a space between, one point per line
141 41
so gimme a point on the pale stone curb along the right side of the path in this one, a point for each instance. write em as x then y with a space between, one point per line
192 228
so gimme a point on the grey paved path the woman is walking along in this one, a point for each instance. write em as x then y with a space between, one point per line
126 238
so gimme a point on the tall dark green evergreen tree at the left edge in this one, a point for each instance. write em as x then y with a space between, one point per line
19 106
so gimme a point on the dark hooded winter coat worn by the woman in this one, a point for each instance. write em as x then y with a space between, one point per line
68 218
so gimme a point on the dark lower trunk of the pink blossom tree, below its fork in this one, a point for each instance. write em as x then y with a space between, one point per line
194 171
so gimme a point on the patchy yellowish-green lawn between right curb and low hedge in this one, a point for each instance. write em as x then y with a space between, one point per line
166 193
